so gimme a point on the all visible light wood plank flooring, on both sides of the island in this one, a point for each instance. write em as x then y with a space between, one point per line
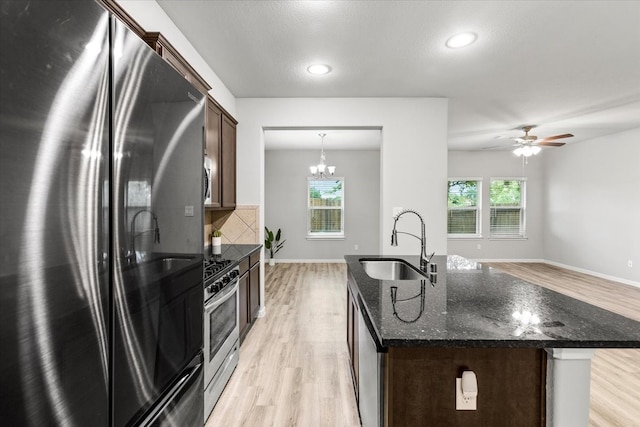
294 370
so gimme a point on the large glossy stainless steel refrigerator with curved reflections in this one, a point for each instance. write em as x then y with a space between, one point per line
101 192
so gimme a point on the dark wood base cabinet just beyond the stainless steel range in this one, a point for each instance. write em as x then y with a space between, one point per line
249 292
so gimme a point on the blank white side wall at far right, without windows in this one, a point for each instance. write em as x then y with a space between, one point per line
593 205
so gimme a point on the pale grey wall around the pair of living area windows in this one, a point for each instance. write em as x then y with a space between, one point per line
487 164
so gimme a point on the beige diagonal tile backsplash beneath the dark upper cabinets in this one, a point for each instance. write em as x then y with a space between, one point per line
239 226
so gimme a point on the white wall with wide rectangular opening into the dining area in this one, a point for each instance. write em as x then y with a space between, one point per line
413 154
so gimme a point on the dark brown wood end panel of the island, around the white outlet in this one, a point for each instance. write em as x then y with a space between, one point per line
420 385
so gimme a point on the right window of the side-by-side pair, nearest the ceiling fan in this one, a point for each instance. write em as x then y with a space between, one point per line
507 200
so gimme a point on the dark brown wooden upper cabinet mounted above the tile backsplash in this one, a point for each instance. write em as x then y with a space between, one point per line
220 139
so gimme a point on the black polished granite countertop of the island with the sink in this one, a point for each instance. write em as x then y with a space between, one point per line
472 305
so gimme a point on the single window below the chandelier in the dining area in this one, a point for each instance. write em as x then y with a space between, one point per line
325 208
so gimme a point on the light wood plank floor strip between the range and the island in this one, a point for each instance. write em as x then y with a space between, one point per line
294 363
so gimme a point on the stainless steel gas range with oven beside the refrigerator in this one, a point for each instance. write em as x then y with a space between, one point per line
221 328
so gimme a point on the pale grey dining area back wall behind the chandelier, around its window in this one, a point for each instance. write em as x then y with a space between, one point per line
286 173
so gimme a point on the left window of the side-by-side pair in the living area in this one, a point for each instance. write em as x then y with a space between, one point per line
463 204
